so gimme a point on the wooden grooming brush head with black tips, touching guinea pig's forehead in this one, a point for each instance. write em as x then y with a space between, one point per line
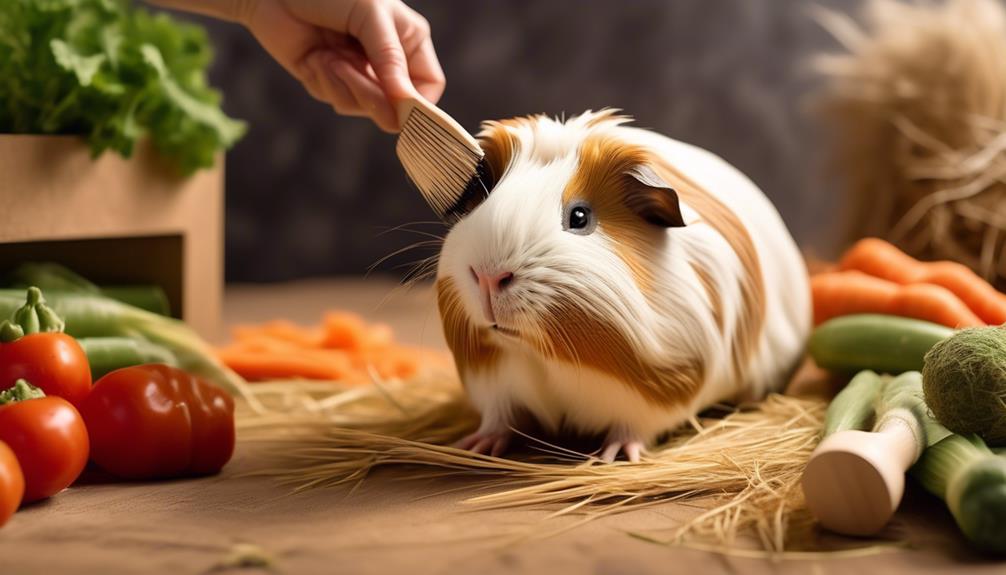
442 159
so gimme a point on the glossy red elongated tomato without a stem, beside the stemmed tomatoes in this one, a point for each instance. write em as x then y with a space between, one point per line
154 422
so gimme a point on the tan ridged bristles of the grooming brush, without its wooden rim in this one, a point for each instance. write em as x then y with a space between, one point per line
442 164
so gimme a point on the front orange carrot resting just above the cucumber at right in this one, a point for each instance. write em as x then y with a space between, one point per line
846 293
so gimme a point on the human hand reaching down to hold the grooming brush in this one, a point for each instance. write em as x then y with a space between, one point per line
362 57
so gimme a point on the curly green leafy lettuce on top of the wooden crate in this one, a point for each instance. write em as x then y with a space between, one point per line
114 74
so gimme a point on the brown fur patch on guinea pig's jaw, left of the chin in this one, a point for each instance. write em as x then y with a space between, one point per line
471 347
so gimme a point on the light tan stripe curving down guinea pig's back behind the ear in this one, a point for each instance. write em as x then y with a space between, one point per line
751 315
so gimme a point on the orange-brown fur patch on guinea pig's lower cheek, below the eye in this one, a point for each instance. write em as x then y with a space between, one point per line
580 338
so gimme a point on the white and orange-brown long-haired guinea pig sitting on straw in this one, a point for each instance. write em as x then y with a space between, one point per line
616 282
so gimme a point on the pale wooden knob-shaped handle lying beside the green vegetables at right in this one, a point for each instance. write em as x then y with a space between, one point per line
855 480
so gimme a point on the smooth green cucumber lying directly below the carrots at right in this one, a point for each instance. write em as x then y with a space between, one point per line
885 344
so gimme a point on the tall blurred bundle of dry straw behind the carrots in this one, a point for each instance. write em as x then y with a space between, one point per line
917 113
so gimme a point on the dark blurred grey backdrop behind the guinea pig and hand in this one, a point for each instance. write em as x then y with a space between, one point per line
310 194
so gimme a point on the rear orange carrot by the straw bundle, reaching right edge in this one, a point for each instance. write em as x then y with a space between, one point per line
883 260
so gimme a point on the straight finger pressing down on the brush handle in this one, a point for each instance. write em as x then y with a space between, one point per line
380 39
